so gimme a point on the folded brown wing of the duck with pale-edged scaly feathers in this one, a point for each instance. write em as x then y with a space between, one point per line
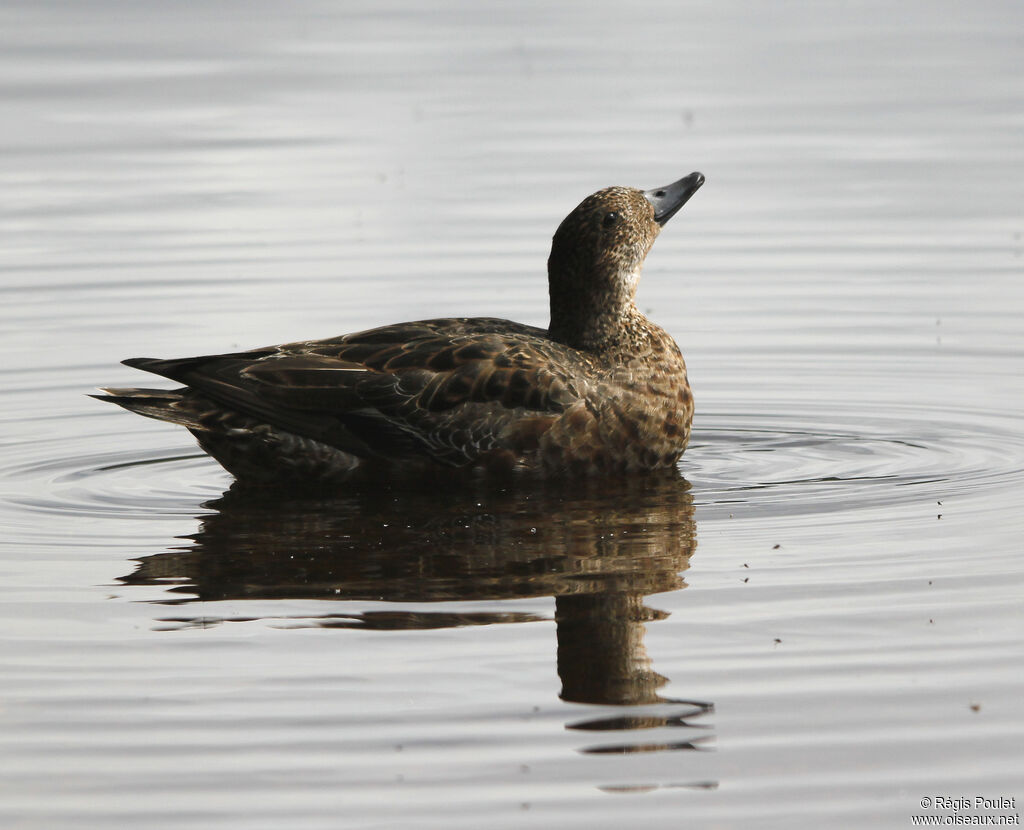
447 389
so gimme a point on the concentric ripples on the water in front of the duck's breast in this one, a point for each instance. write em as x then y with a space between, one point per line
793 466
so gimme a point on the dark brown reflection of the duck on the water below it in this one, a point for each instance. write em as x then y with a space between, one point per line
600 551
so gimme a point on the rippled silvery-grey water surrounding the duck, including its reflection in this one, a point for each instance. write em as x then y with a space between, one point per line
818 623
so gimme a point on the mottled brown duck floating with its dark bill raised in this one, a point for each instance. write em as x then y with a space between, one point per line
603 391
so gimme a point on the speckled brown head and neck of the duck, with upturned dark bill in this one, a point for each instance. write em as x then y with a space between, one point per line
598 254
